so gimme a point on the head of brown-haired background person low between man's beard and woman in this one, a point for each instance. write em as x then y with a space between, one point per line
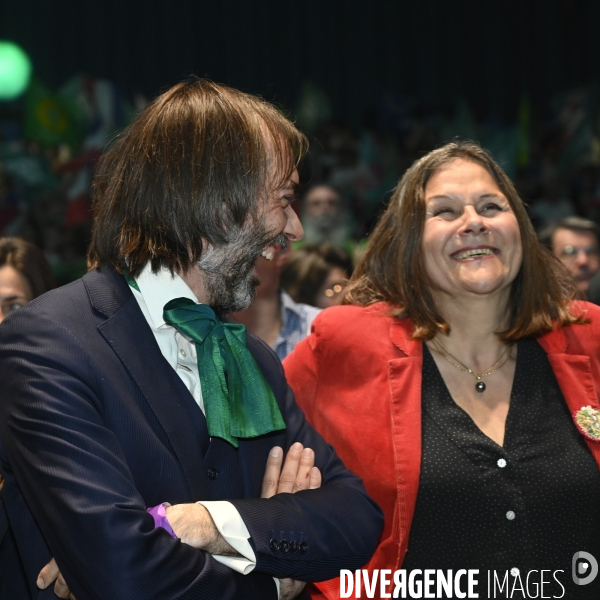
317 275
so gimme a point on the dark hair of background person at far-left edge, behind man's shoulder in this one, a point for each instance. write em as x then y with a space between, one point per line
30 262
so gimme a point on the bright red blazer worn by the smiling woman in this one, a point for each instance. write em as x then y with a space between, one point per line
358 379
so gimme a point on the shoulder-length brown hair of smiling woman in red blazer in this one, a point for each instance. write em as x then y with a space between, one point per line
392 268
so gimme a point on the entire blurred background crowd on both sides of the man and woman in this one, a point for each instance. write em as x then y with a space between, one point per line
50 142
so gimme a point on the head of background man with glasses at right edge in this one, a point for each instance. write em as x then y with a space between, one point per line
576 243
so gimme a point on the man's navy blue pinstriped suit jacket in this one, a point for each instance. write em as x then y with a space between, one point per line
95 426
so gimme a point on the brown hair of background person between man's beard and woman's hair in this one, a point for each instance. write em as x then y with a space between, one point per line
308 267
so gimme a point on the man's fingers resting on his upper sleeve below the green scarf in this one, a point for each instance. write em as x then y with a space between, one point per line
298 473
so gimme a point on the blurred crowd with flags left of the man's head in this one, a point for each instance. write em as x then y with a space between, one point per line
49 142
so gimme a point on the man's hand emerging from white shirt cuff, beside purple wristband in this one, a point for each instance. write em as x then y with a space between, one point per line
194 526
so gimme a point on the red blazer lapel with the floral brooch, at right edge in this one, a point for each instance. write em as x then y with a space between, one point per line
574 375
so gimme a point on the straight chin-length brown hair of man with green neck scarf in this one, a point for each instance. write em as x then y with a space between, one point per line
194 165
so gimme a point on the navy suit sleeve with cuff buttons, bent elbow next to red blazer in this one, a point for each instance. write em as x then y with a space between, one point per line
339 524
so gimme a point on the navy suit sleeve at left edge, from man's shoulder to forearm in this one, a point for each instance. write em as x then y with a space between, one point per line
69 483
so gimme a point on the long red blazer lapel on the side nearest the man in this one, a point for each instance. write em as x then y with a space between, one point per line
405 380
